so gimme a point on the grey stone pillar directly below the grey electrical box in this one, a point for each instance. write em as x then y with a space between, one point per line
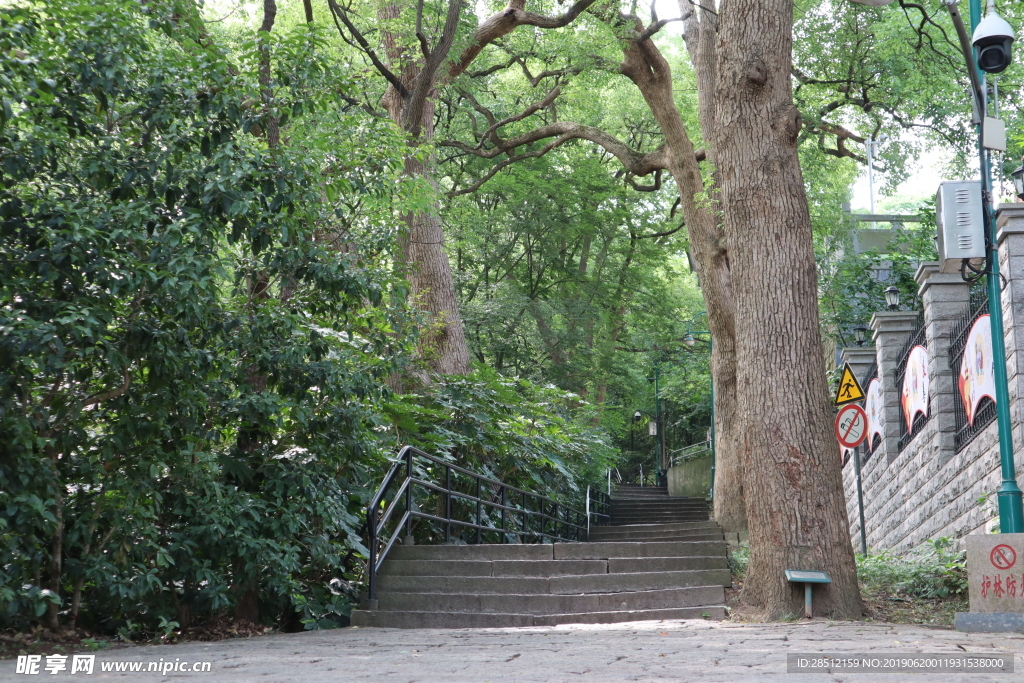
946 297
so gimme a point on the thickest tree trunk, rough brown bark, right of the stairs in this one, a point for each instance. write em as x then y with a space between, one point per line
794 492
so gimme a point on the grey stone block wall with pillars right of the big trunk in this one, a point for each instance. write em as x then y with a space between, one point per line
930 491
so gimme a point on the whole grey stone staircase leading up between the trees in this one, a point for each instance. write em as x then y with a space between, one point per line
672 569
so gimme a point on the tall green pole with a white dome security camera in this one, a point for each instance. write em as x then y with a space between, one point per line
995 57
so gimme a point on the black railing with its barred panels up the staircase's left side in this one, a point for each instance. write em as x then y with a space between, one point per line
464 501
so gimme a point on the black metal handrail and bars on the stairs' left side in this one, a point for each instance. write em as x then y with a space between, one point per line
566 523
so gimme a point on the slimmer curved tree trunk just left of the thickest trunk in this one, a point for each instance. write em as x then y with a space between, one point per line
646 66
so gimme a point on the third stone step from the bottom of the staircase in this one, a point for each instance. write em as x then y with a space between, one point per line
603 583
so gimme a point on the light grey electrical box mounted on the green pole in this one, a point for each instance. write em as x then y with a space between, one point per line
962 227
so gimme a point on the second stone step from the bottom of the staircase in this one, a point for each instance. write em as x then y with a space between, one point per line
552 605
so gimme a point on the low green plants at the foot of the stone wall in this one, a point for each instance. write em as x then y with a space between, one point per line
932 571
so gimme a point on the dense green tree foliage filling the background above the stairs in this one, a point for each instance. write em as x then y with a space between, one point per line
215 326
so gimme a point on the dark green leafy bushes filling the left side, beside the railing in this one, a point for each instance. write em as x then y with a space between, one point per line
189 368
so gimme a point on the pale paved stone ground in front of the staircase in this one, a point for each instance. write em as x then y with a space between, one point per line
670 651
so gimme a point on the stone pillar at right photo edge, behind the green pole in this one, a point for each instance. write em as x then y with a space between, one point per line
1010 224
